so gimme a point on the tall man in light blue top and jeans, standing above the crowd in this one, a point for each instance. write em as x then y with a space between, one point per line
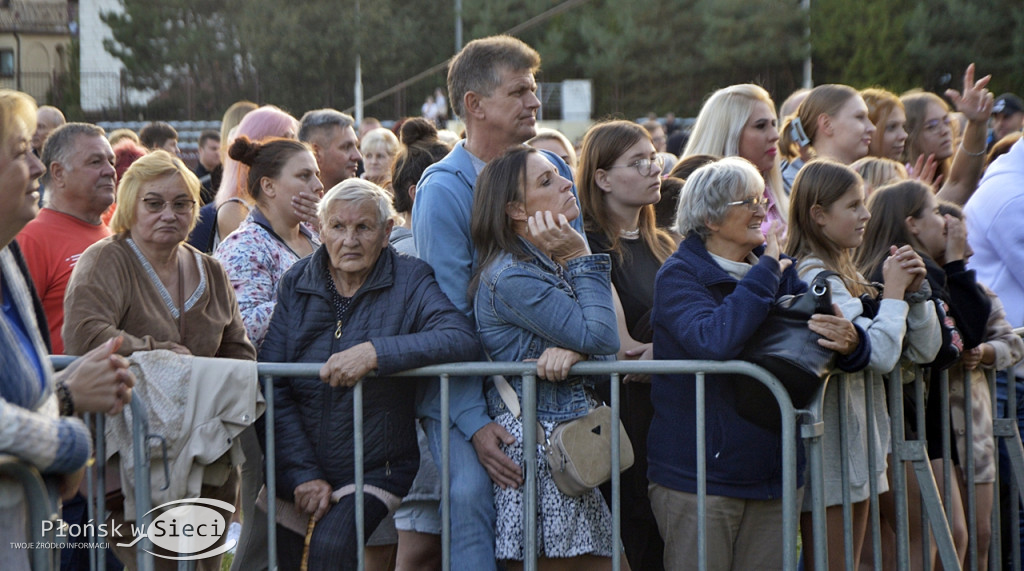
493 91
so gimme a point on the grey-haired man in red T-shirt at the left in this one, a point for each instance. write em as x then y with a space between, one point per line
80 182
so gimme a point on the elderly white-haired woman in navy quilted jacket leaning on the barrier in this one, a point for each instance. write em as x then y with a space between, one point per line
361 308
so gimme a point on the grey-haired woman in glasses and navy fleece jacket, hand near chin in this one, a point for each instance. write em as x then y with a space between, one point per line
710 299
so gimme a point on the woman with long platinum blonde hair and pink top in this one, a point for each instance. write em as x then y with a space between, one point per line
740 121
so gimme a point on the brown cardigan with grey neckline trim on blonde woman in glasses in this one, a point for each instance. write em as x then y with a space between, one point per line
110 294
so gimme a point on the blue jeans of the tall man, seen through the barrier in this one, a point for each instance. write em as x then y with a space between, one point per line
473 501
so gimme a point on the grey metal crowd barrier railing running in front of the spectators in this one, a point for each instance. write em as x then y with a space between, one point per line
905 453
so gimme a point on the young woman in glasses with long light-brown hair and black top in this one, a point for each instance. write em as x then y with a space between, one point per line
620 181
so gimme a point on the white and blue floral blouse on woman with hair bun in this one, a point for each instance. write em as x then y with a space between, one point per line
255 259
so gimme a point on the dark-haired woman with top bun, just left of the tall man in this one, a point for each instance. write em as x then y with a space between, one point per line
420 149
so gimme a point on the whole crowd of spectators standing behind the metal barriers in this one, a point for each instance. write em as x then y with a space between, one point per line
375 251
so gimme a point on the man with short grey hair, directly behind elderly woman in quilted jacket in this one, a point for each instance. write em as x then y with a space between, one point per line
336 148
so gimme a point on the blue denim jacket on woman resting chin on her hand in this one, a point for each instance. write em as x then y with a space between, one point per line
524 308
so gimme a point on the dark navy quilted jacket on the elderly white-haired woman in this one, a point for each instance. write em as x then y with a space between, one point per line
411 323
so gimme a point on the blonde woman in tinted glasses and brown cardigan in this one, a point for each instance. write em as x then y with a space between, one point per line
146 285
